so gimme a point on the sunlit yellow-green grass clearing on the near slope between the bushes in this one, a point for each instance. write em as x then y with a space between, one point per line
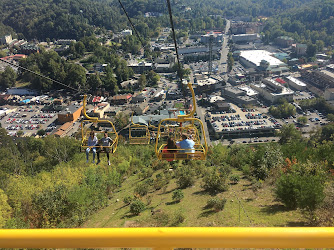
261 208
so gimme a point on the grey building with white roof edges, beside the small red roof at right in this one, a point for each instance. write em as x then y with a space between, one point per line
272 91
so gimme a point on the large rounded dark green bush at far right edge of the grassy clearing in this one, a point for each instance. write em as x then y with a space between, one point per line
300 191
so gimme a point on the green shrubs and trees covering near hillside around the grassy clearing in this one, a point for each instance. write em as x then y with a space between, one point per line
46 183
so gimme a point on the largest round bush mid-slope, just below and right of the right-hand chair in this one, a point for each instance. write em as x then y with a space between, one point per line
215 182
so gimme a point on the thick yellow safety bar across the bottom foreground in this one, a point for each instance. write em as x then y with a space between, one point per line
169 238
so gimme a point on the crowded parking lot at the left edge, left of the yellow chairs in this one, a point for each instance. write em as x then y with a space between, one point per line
28 120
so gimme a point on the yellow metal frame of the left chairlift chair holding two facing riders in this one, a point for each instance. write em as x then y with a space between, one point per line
96 120
